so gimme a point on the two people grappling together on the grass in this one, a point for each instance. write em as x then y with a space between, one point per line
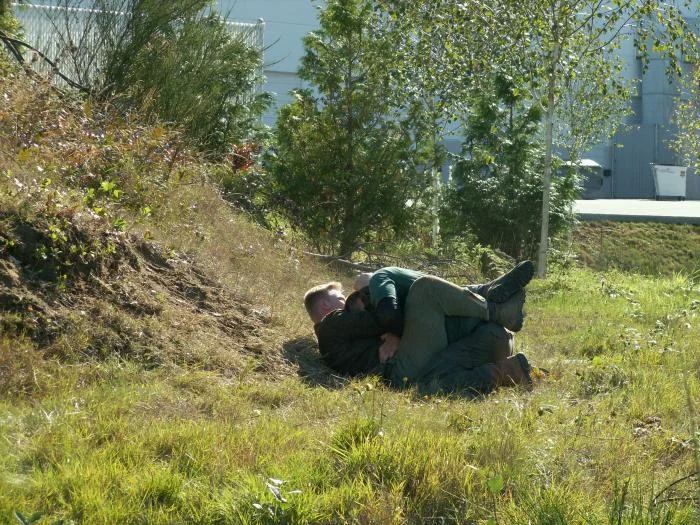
417 329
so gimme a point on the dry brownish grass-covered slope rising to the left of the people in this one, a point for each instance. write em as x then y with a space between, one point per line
114 244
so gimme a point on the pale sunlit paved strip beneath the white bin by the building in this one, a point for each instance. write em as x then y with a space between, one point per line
679 212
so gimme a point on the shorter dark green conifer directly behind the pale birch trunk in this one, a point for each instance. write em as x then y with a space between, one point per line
496 186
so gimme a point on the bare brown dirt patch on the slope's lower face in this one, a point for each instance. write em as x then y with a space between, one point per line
116 294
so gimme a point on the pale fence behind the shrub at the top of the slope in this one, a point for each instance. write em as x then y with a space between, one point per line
73 38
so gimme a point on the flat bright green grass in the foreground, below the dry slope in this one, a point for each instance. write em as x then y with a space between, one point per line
603 439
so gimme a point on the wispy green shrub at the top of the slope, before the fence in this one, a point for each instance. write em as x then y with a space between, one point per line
179 62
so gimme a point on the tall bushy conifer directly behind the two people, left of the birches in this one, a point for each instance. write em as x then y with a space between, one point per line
345 165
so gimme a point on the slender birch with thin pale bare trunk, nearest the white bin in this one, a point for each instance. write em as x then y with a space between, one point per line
569 41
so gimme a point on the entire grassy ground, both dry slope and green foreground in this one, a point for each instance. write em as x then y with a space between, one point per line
156 366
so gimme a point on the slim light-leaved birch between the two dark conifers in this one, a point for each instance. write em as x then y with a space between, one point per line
431 91
